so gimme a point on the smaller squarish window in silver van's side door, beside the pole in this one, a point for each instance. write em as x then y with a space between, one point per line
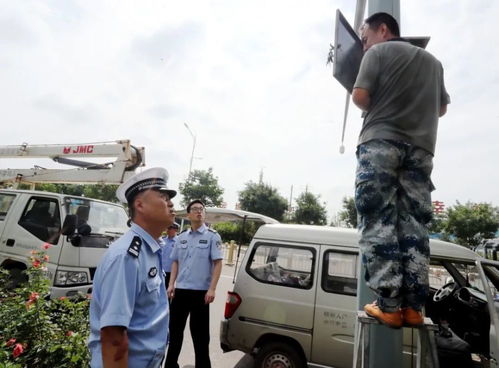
339 273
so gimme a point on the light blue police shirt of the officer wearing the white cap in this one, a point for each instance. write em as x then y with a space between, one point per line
129 291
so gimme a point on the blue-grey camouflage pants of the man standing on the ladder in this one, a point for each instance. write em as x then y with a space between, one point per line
393 200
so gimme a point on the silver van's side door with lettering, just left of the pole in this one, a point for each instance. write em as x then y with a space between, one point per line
335 307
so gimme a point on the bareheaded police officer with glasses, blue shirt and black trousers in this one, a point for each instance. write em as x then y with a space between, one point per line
196 268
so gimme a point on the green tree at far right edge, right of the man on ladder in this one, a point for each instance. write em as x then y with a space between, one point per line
470 223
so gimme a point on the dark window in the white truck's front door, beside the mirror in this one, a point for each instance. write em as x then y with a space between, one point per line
42 219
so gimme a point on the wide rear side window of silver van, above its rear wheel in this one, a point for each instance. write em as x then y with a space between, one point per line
282 265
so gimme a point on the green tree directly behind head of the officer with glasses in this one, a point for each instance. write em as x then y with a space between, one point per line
201 184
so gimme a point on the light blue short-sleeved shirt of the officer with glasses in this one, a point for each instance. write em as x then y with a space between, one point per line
195 252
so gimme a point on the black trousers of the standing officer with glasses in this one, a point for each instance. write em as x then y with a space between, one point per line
185 303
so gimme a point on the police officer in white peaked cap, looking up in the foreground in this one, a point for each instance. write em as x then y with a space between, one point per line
129 310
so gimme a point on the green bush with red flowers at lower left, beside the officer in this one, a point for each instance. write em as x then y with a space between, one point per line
36 331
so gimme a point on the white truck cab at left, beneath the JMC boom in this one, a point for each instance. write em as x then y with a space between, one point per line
78 229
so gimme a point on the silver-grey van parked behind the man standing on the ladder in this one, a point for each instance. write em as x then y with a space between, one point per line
294 299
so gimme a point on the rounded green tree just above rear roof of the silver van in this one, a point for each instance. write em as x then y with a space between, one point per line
264 199
